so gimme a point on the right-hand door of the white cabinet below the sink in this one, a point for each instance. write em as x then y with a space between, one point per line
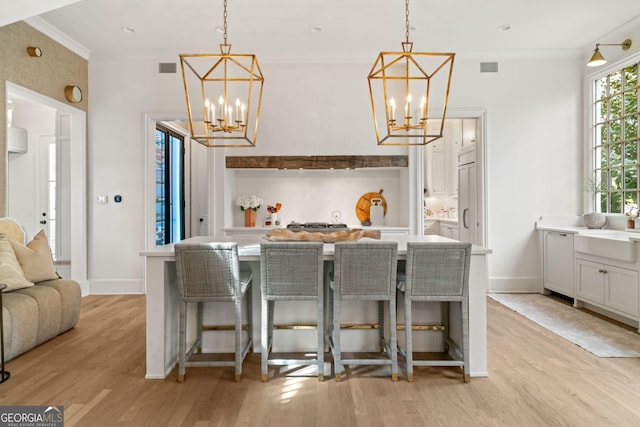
621 291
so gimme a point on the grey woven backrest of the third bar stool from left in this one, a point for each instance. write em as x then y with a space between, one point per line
365 270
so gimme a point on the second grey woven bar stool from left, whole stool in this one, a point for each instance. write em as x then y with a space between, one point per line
291 271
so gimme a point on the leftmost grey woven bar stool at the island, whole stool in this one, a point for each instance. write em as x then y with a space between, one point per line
211 272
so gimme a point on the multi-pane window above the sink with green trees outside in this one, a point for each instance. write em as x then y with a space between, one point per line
615 140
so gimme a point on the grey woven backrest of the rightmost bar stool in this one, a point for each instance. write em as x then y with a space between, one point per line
438 269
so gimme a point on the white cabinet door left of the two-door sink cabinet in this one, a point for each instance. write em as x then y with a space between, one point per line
558 263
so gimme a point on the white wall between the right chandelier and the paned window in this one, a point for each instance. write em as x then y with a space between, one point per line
534 114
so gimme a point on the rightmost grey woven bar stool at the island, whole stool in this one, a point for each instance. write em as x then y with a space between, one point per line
437 272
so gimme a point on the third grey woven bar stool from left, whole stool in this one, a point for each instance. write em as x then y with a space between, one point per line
365 271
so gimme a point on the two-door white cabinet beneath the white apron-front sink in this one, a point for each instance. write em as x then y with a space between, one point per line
607 286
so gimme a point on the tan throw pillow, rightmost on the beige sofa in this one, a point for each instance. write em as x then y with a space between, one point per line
35 259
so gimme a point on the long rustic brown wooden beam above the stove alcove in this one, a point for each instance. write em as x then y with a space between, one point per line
316 162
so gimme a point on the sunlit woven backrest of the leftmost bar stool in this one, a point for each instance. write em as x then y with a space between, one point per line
207 270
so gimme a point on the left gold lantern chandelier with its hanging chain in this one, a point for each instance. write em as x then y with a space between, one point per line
224 93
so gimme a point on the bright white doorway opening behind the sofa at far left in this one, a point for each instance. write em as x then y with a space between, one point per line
46 177
